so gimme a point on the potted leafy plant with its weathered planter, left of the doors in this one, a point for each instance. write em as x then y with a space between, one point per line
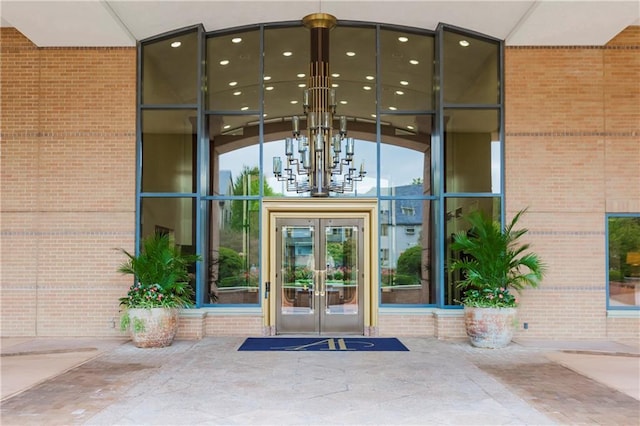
161 287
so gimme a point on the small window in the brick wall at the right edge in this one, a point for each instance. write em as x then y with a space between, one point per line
623 238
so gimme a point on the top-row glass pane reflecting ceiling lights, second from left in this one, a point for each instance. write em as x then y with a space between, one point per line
233 71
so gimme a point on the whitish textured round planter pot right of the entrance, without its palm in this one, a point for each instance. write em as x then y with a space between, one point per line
490 327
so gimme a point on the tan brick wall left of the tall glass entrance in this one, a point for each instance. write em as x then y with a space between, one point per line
67 184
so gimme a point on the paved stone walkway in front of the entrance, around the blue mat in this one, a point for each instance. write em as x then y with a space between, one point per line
210 382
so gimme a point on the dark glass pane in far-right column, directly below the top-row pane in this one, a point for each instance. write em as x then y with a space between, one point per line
472 151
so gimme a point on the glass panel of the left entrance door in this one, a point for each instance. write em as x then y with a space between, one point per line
298 269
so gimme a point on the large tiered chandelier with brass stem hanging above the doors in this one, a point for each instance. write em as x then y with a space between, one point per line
323 158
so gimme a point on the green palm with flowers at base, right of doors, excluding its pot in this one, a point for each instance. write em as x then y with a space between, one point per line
494 261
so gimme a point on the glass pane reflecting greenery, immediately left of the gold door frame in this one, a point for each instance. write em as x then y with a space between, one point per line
233 252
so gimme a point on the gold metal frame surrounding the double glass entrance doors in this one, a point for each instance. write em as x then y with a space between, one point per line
365 209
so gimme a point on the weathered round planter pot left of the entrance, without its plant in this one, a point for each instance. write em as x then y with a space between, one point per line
153 328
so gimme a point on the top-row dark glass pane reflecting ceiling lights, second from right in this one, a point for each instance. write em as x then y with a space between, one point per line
406 71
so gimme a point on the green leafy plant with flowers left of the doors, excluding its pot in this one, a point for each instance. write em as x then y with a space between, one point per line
161 275
